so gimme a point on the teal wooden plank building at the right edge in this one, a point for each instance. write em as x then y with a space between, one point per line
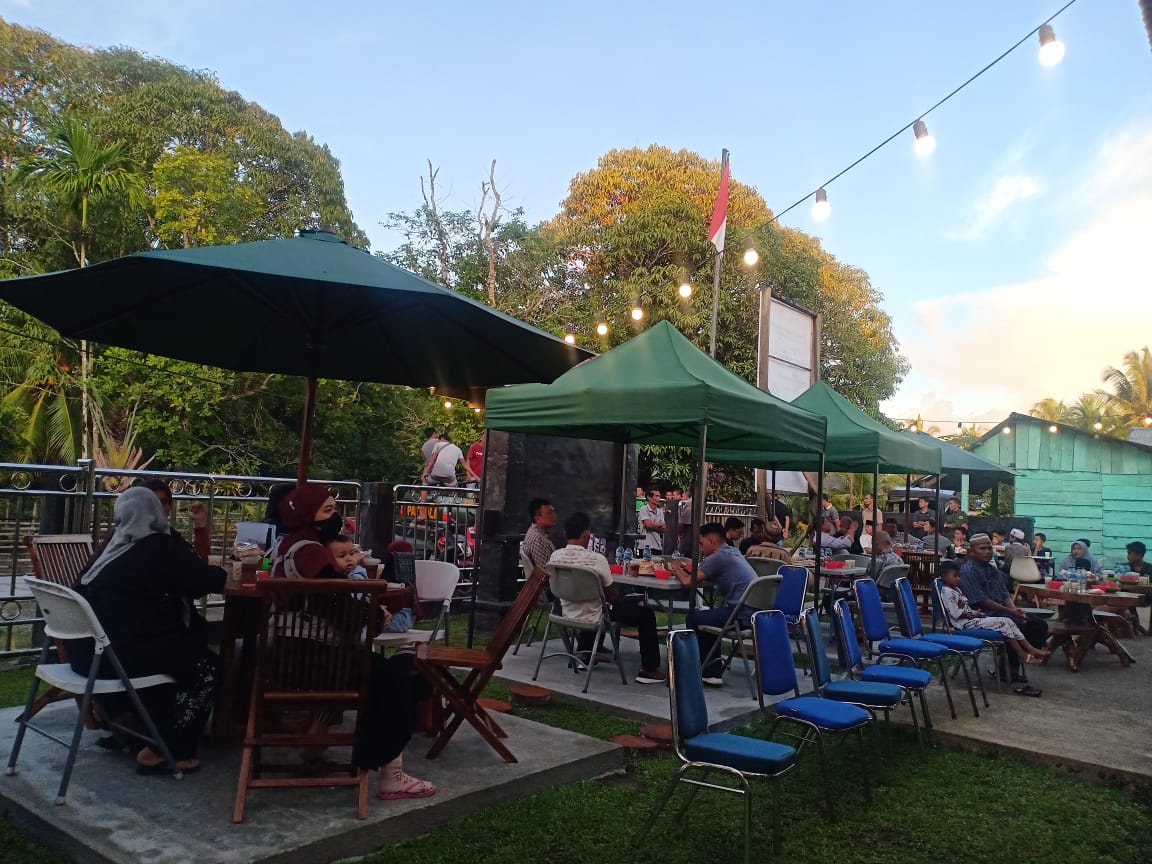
1077 484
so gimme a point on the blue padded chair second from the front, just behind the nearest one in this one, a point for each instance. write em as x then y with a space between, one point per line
777 676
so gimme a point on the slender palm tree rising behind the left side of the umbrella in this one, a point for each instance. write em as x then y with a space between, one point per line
75 169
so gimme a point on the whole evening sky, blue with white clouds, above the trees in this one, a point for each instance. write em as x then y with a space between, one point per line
1012 261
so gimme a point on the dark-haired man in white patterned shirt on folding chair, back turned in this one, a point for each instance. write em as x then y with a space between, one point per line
625 611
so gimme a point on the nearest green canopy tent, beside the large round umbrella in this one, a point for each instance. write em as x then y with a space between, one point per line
661 389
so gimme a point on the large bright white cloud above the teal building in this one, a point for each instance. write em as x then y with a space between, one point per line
1055 335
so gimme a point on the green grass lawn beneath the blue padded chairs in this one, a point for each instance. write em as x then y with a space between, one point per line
928 806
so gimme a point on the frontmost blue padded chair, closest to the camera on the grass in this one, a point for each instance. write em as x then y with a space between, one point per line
704 753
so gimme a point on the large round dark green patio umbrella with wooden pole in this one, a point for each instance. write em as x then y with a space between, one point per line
310 306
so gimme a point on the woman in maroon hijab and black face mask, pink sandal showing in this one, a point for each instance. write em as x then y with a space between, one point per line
309 514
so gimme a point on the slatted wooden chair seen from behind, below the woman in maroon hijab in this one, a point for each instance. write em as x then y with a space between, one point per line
312 655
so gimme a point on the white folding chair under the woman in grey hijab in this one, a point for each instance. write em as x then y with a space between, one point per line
67 616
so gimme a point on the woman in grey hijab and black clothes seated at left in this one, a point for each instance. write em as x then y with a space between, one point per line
141 588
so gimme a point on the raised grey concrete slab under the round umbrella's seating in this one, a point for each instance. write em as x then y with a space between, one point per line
115 816
